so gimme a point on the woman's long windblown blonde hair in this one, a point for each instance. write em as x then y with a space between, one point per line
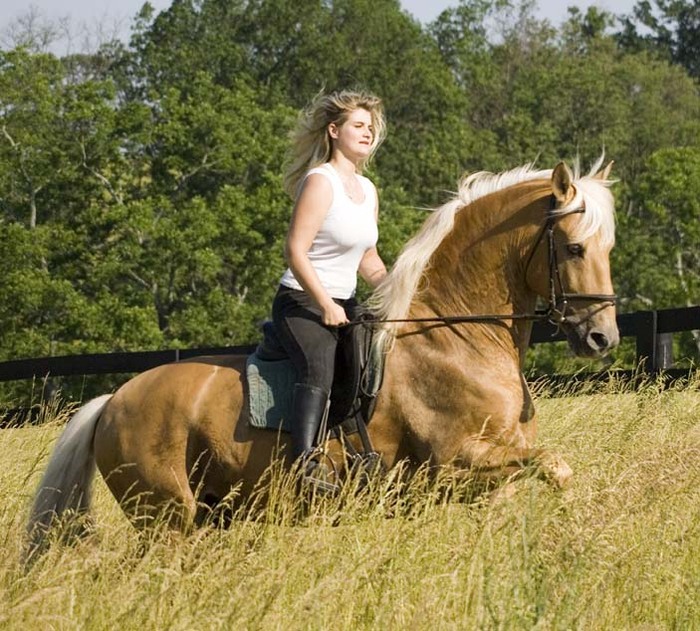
311 143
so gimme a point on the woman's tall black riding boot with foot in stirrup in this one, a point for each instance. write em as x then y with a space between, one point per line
308 409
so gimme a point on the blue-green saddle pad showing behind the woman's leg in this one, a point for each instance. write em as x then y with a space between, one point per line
270 390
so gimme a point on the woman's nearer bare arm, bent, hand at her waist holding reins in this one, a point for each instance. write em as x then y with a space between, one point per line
309 213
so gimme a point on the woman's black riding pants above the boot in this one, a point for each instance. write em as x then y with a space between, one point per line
311 345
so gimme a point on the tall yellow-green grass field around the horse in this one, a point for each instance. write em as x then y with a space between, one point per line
619 549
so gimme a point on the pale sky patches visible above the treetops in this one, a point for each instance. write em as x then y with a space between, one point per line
115 16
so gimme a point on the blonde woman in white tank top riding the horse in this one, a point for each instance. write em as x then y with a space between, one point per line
332 236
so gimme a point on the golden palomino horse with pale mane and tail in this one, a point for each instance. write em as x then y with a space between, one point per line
453 390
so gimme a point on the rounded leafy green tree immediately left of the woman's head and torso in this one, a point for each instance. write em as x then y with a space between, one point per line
187 238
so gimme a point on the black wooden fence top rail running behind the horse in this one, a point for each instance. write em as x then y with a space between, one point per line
653 331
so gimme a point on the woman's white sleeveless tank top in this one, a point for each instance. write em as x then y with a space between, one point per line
347 232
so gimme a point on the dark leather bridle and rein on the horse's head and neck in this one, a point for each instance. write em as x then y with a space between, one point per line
558 300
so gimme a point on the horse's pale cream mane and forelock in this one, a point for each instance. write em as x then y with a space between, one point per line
392 299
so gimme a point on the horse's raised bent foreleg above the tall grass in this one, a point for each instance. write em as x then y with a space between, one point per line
493 462
